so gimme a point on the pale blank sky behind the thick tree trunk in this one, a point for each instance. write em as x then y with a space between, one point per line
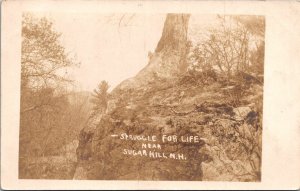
112 47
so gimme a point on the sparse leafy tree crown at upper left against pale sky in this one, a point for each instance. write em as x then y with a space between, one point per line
44 59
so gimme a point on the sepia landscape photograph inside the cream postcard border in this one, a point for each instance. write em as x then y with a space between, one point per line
182 104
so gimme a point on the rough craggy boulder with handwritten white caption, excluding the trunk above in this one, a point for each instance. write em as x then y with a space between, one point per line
227 150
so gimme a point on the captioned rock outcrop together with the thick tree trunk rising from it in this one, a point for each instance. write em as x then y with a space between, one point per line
160 101
